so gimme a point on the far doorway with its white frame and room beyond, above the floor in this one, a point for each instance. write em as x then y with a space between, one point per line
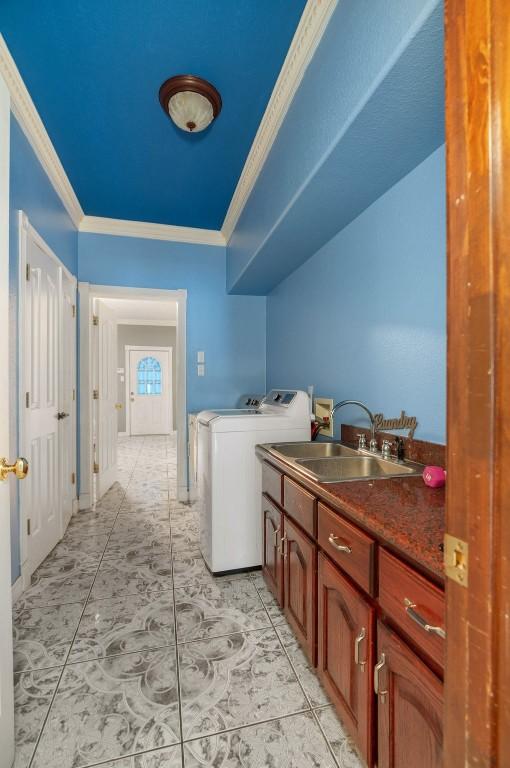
132 378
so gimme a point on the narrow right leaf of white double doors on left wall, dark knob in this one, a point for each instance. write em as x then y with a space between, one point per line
67 399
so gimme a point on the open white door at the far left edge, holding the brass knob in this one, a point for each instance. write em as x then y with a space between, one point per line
6 682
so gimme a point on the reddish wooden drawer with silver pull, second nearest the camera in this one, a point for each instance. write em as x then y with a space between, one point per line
352 549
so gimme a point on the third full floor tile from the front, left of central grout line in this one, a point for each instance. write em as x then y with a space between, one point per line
132 575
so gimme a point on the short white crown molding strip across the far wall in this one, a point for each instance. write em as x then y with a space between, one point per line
124 228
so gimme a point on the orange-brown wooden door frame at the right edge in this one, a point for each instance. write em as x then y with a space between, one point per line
477 683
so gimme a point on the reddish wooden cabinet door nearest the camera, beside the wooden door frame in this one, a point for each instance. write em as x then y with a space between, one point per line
410 706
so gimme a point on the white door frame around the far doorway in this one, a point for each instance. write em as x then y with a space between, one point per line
87 292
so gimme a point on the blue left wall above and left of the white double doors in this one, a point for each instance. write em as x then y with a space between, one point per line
31 192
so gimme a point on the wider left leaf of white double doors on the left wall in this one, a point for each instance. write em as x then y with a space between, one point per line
40 494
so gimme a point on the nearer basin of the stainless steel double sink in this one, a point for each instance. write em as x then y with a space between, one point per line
338 470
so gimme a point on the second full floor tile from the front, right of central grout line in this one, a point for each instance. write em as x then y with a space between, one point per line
210 610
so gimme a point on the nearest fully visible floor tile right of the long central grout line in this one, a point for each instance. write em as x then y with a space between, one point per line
236 680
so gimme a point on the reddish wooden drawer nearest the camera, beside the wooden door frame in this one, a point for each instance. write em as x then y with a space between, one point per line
415 604
